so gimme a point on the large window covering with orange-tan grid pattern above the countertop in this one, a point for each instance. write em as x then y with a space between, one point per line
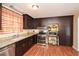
11 21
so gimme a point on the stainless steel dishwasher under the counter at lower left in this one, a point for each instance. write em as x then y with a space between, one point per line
8 50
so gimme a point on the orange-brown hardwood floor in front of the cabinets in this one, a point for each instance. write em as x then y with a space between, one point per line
38 50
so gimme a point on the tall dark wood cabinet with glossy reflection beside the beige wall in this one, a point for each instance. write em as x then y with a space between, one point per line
66 31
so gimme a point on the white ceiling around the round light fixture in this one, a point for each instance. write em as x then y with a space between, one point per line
46 9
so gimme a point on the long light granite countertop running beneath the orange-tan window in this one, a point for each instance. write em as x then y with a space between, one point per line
14 37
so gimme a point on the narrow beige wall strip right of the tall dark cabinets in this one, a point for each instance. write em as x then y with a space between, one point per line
75 32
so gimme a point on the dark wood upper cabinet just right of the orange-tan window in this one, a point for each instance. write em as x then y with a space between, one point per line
28 22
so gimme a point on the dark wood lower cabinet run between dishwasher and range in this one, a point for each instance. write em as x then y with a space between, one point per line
24 45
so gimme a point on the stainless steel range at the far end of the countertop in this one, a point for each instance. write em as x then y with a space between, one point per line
43 36
